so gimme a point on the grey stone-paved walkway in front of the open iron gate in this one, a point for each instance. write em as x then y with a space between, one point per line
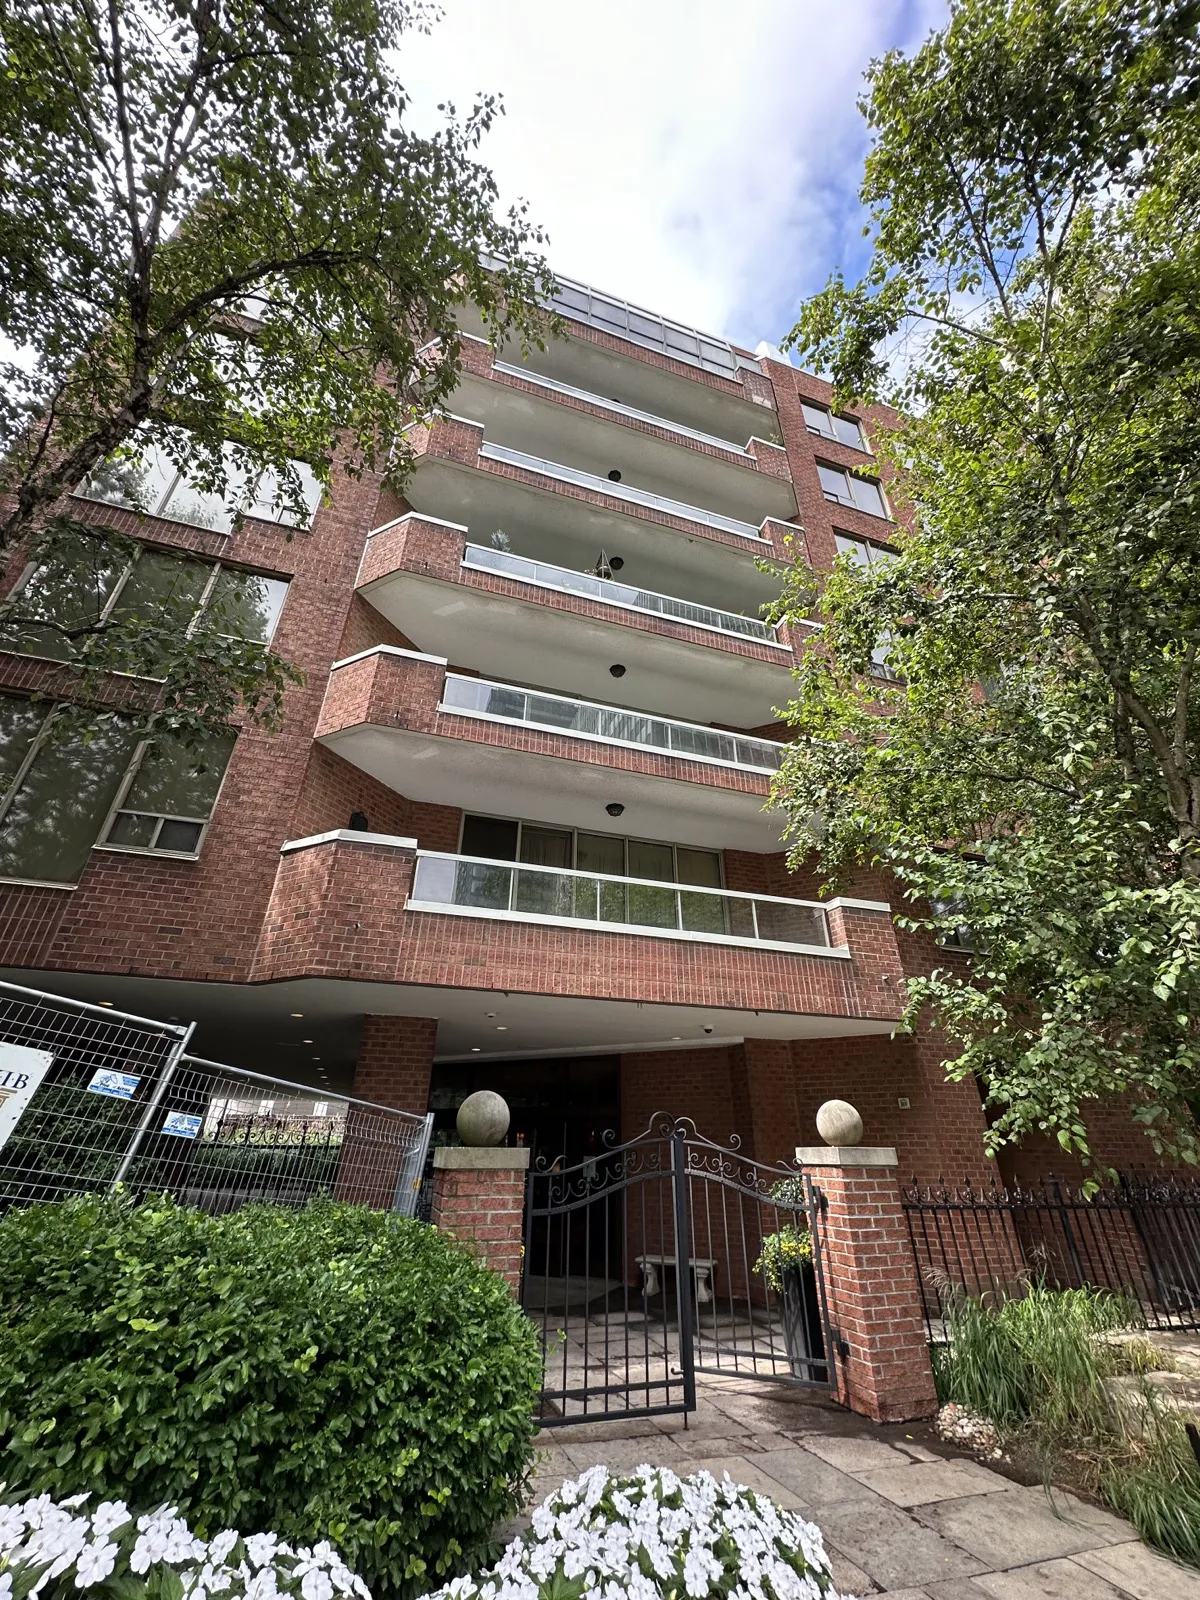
898 1519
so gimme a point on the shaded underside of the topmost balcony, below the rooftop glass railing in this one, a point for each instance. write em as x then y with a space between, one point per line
634 378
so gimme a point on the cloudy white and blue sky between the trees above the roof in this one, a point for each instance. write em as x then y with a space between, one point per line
697 156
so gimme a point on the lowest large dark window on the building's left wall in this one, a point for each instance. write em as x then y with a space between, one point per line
60 794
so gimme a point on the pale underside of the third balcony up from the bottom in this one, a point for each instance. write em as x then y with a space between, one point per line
537 642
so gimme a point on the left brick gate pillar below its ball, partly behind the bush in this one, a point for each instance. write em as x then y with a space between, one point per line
479 1198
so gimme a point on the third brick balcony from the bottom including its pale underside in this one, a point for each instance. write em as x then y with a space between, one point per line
511 617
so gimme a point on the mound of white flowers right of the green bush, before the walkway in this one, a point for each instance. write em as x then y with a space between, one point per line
650 1537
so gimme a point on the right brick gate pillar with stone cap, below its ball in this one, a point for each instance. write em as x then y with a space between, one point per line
871 1284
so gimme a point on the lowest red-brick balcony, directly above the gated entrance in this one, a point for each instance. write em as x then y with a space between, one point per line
516 961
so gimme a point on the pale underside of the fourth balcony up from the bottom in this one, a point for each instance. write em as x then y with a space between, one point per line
556 527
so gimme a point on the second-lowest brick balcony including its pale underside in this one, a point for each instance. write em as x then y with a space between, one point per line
452 740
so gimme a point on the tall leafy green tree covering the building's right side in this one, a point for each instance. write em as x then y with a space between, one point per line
1033 775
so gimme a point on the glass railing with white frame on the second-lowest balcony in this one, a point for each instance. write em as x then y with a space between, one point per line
610 724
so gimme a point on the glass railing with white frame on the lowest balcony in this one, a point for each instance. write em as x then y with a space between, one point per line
508 889
